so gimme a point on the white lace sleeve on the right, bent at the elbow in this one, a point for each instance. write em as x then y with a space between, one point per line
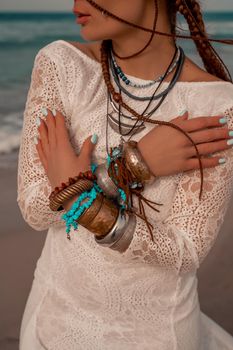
186 236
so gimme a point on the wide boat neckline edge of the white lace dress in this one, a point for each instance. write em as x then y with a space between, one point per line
136 79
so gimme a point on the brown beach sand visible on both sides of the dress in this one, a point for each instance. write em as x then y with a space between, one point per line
20 247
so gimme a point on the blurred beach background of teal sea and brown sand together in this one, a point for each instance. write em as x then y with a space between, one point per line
20 245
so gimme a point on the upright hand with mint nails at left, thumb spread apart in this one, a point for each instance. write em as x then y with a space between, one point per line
56 152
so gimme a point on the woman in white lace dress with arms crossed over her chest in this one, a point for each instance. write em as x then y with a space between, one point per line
88 296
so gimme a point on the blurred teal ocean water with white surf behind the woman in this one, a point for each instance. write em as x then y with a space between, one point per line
23 34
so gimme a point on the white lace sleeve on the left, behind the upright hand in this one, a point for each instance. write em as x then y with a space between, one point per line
33 186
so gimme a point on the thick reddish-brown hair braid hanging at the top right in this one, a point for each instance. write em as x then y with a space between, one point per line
191 11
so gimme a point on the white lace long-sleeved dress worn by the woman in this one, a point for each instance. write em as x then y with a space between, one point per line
88 297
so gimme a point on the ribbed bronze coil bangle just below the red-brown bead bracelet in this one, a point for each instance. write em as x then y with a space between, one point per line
80 186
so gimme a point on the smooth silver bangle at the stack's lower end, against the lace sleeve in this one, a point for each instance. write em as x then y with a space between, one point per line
121 234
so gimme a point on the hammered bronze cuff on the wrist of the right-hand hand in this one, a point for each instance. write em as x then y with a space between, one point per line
136 164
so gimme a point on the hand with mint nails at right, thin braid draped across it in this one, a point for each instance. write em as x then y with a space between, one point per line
167 151
